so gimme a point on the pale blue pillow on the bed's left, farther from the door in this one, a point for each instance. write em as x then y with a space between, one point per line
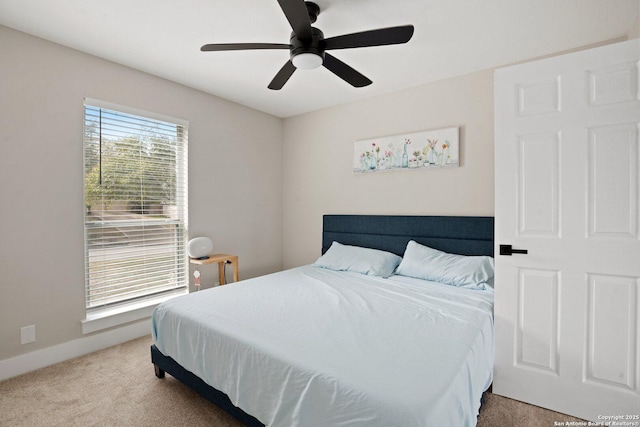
361 260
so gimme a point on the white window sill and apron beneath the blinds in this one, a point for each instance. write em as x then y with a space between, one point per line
98 320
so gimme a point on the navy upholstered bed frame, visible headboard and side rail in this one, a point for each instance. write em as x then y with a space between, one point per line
453 234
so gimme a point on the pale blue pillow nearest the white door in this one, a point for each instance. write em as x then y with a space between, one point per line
426 263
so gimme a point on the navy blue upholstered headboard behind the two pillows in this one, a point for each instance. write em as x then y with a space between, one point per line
463 235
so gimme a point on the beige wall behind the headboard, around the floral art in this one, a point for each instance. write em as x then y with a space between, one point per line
318 157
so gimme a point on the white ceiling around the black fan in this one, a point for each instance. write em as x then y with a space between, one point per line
452 37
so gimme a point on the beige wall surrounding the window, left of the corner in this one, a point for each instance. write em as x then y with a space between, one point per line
234 178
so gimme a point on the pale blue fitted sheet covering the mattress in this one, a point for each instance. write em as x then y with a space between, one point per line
311 346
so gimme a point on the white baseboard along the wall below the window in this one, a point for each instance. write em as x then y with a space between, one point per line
79 347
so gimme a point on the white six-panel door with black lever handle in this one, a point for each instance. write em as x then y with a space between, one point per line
568 193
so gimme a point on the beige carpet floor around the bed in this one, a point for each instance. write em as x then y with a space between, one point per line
117 387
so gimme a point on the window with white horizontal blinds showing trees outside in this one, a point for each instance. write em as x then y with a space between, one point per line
135 181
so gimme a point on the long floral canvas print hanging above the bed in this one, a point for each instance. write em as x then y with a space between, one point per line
429 149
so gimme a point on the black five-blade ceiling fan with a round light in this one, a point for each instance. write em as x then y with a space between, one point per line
307 45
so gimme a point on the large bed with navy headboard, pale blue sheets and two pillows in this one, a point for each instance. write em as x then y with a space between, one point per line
337 343
